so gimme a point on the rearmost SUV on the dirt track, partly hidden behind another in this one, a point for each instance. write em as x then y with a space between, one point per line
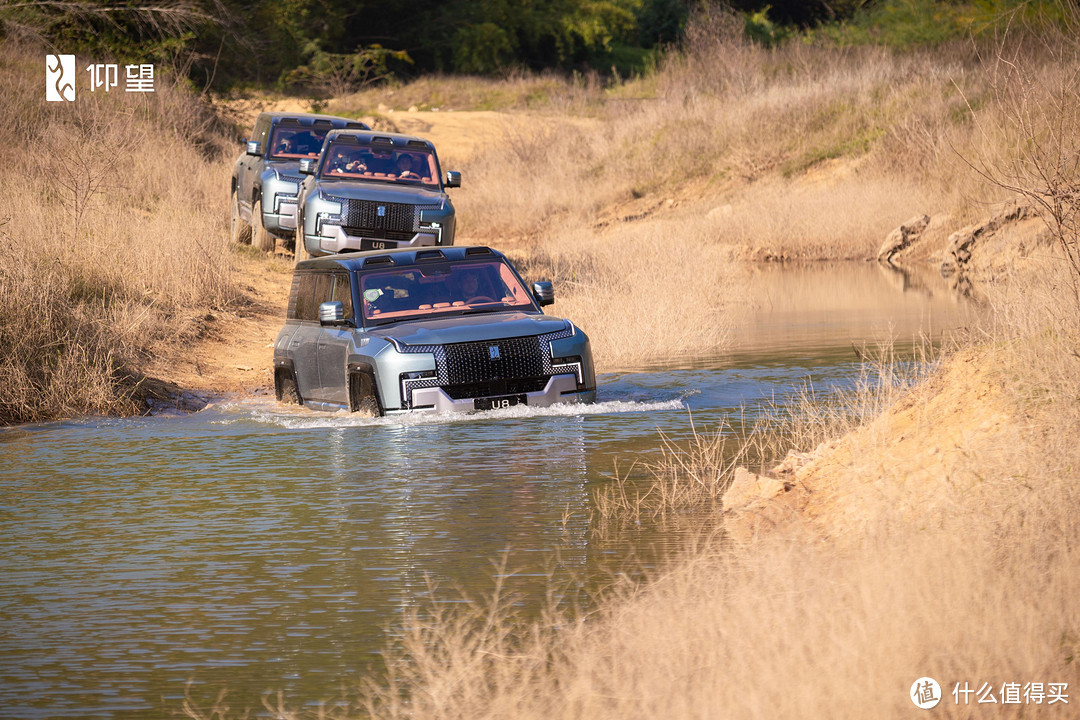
265 178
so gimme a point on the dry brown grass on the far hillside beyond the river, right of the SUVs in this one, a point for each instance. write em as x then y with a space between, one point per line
819 153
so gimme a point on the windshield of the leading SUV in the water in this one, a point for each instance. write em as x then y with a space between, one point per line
445 289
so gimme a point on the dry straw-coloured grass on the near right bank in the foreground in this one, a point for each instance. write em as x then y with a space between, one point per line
979 587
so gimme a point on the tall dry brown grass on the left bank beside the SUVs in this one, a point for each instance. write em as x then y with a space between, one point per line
114 234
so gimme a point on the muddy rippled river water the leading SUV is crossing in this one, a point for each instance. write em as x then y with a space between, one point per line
255 549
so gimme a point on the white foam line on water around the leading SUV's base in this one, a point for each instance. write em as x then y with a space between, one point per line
300 418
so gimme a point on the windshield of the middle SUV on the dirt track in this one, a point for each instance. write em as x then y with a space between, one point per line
383 164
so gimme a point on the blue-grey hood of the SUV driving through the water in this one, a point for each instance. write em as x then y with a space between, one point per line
470 329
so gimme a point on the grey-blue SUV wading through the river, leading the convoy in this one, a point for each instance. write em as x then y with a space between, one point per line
435 330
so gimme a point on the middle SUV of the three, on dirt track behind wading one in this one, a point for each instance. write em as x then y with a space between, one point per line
372 191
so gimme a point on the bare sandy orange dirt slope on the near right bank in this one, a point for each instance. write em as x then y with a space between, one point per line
912 460
